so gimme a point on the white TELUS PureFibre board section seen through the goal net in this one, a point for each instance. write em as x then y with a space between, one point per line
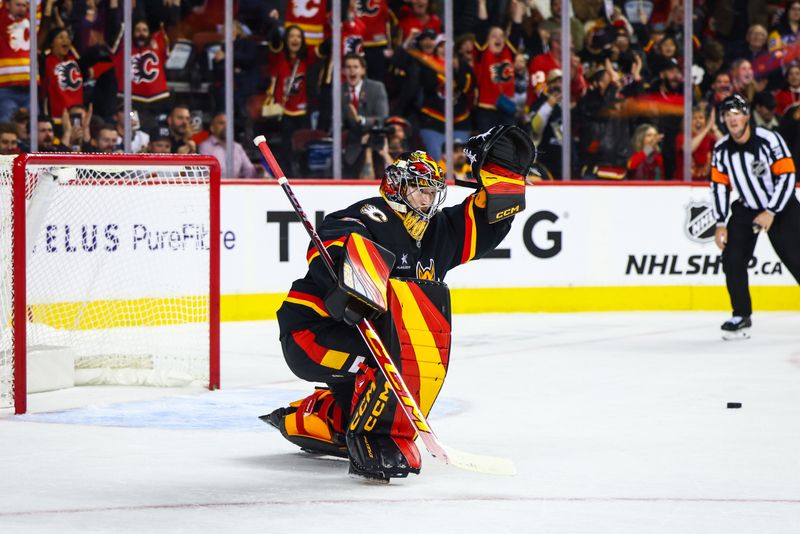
90 247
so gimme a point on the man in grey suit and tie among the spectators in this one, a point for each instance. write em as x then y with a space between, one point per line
365 106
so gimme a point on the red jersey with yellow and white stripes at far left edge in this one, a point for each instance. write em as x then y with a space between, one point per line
15 46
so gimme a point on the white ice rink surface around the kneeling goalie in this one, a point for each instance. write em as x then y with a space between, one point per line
617 424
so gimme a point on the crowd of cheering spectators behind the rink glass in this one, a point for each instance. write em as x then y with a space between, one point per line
626 71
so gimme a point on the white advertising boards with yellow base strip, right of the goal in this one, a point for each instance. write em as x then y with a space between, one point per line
575 247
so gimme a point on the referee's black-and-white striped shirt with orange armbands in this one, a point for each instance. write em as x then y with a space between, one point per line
761 170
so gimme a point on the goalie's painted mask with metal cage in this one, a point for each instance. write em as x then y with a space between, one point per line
414 188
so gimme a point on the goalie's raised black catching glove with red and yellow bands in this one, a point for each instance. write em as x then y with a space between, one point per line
500 160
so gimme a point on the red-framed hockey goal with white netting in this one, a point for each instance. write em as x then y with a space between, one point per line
115 257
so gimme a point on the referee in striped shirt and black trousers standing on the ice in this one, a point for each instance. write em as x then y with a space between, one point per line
758 165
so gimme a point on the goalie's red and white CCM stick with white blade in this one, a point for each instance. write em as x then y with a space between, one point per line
464 460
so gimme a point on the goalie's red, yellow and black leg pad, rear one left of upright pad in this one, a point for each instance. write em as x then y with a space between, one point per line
315 423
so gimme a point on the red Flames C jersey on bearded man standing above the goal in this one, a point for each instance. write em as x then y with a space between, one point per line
148 65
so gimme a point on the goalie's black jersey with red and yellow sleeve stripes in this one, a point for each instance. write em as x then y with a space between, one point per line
455 235
